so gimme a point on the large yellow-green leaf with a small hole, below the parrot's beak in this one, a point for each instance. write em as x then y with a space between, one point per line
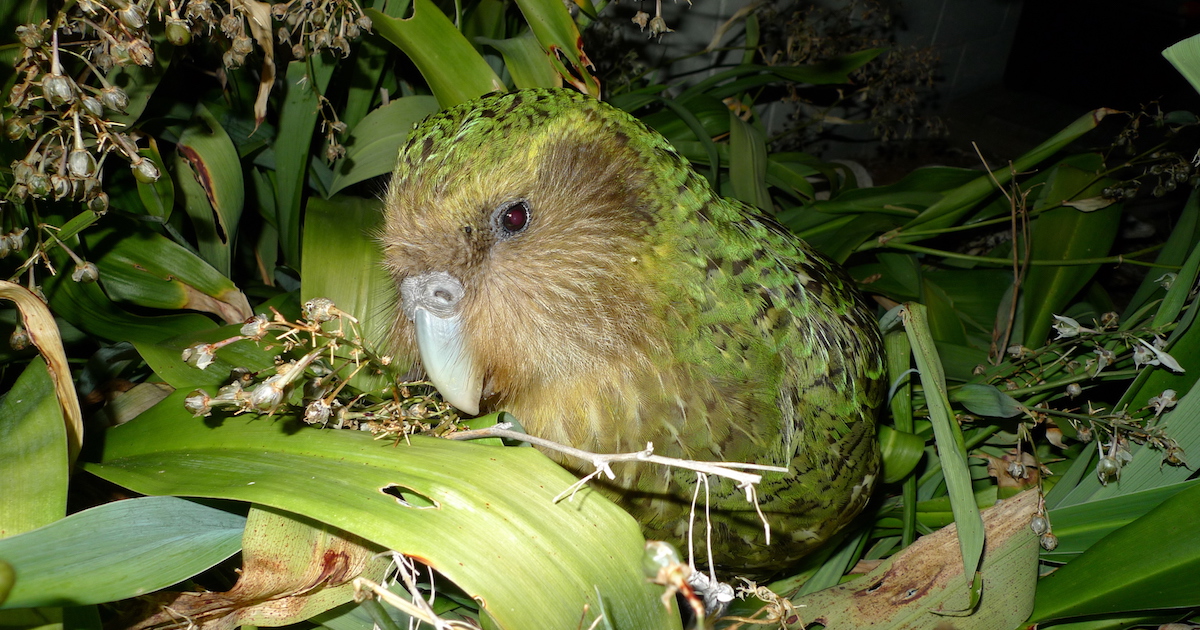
493 529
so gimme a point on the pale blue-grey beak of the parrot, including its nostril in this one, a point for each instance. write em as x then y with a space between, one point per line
431 302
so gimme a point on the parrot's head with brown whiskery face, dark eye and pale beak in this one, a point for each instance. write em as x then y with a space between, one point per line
524 236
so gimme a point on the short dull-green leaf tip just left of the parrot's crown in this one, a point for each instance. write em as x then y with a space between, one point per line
374 146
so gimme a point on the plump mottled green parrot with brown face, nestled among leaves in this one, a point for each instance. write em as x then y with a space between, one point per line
560 261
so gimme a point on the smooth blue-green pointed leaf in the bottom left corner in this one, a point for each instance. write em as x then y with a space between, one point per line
118 550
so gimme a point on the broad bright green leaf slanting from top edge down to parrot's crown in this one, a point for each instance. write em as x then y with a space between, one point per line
455 71
